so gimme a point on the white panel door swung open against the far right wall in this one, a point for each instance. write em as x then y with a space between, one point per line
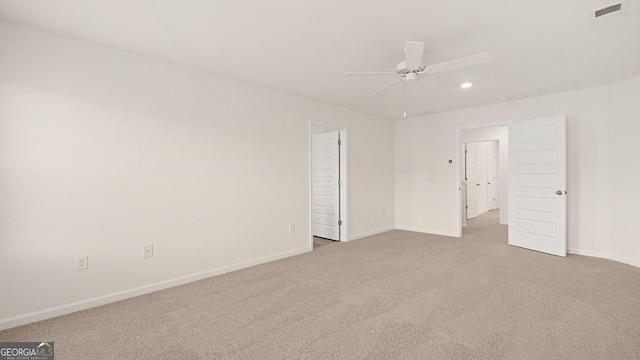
537 185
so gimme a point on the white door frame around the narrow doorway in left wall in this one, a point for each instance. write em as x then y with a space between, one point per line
344 179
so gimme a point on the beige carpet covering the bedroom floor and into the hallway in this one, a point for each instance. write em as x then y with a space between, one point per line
398 295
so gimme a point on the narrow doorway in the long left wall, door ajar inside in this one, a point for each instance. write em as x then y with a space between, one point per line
328 187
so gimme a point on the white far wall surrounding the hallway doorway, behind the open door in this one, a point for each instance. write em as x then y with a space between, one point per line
426 189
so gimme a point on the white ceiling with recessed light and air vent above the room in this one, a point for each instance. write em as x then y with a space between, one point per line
303 47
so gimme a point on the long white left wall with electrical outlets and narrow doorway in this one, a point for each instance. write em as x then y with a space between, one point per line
102 151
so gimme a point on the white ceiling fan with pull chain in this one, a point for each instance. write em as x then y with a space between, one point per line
414 69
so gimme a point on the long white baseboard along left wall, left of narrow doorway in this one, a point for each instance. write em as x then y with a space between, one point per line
11 322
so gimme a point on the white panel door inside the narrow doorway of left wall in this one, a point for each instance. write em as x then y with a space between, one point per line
325 189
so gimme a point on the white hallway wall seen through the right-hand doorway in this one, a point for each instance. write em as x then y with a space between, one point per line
501 134
